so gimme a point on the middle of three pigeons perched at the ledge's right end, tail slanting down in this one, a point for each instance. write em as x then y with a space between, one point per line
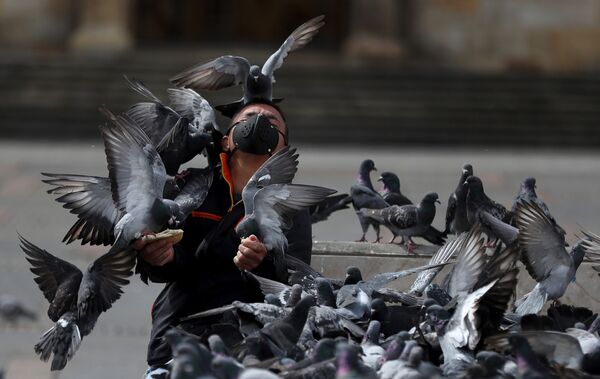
493 217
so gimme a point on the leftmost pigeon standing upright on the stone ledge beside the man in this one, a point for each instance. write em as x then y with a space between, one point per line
364 196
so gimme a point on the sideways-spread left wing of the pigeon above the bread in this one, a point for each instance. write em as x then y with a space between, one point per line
90 198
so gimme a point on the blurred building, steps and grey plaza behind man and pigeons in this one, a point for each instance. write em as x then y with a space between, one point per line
419 86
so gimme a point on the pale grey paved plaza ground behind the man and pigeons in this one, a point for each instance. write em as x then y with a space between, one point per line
567 181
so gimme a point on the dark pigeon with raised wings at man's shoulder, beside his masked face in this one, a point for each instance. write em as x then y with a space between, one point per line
178 139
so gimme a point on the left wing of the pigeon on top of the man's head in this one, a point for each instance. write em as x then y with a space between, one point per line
225 71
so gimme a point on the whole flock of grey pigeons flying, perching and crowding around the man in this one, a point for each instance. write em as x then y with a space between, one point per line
310 326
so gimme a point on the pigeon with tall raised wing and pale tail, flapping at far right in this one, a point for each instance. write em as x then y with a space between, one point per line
544 256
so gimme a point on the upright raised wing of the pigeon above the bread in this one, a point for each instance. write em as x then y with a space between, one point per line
136 172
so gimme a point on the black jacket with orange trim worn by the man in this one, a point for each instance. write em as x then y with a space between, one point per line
202 275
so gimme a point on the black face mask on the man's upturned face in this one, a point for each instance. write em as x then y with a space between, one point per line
256 135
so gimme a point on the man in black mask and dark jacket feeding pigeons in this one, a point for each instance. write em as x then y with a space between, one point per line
203 270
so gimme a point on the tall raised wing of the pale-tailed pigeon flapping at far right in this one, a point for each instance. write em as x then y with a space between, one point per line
542 246
